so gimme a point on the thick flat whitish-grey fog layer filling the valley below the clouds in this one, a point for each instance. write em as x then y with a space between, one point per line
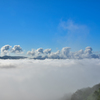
46 79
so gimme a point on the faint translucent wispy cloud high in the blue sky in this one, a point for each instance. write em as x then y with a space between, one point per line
71 33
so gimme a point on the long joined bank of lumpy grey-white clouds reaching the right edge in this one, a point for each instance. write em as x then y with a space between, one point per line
65 53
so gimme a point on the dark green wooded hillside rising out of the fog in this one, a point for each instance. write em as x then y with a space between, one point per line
87 93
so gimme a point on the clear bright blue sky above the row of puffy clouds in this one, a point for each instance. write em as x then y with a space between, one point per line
50 24
